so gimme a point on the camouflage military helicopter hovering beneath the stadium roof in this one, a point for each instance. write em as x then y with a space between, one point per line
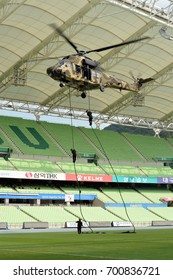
82 73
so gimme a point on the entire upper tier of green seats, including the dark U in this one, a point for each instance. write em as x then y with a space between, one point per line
46 139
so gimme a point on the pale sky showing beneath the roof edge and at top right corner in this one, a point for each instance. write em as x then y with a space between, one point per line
159 3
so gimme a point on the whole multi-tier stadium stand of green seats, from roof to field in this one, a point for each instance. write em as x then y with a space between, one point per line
45 147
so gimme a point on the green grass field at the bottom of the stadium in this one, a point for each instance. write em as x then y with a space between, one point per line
155 244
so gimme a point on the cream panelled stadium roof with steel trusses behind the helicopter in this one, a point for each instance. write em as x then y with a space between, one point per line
26 36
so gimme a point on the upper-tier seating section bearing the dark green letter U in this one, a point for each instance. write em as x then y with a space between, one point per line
28 137
